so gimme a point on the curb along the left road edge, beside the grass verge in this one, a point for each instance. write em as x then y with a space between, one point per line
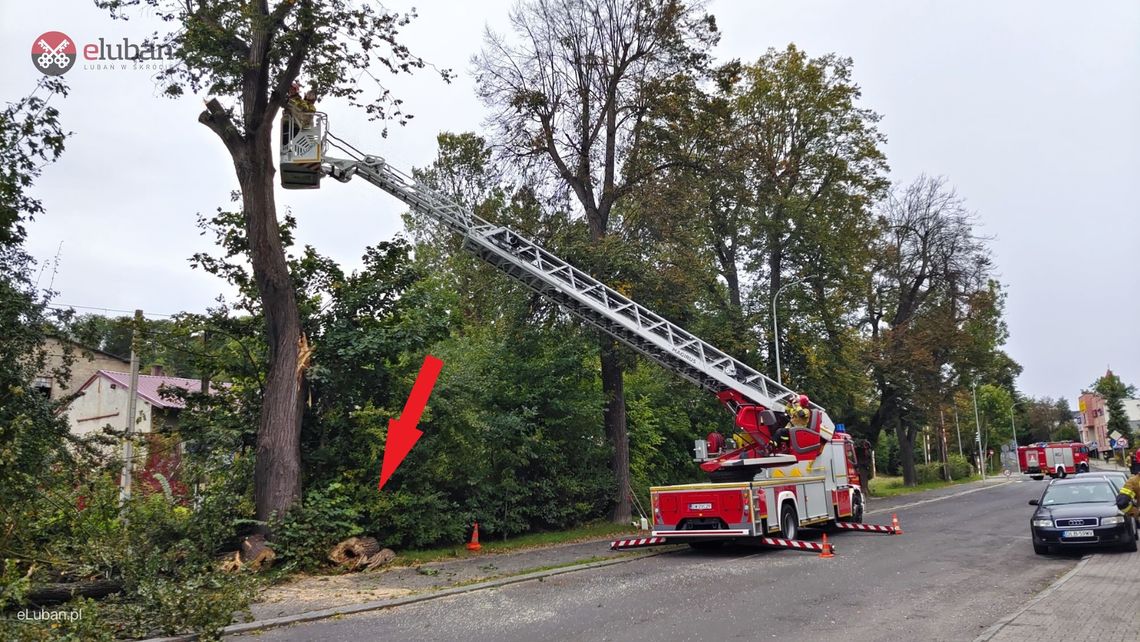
380 605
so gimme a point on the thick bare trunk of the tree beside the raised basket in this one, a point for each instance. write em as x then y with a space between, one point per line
278 474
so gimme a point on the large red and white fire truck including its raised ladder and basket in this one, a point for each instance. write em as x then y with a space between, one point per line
758 487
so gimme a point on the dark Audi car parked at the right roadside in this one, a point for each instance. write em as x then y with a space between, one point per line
1080 513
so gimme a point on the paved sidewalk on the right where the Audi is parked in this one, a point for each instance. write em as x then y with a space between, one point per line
1097 600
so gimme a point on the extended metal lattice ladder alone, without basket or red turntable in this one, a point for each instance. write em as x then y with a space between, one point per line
582 295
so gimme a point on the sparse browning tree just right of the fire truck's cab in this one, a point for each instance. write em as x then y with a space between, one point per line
934 313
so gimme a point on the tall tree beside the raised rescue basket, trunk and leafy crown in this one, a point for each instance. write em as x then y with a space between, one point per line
246 56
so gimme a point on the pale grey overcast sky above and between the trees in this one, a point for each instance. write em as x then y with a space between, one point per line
1031 110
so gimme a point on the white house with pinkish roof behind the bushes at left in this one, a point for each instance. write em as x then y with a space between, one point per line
104 397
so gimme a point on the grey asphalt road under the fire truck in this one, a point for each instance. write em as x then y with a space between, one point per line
964 563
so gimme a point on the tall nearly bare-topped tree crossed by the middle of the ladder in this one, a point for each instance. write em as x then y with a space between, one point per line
569 101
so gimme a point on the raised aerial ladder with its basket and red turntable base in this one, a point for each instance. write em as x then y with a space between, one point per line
758 402
